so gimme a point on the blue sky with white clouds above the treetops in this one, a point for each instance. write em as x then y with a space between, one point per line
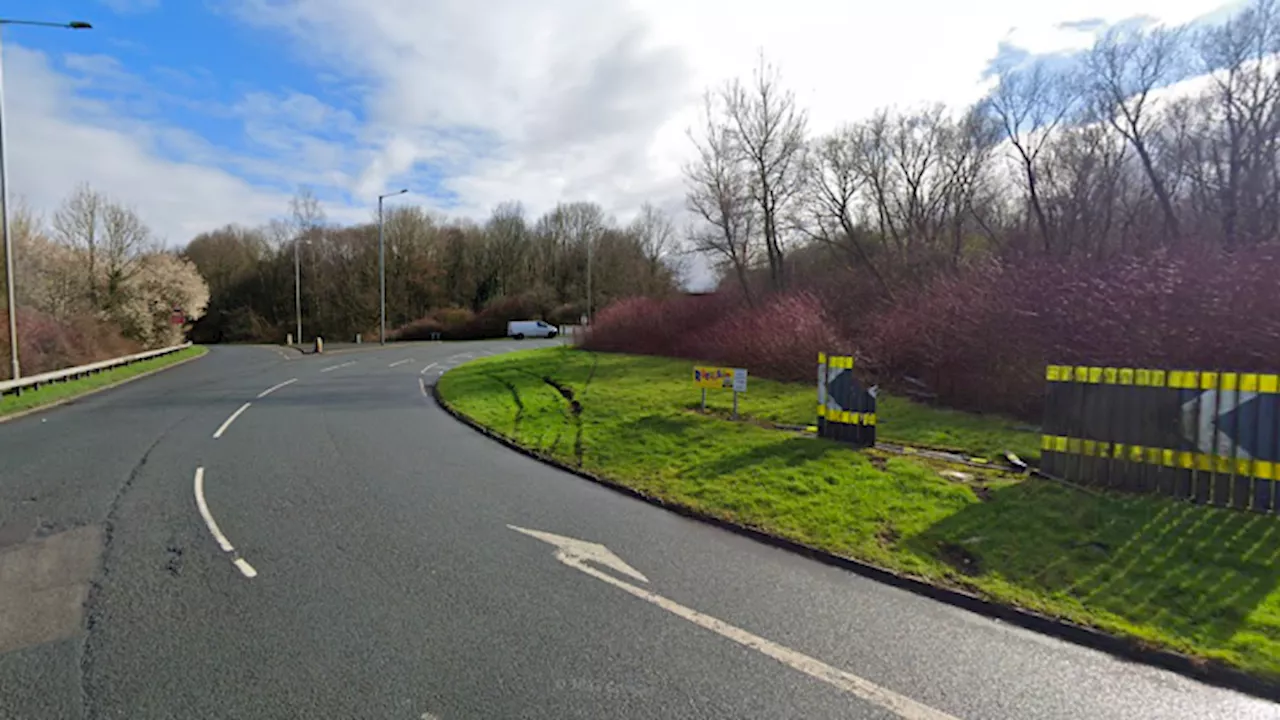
202 113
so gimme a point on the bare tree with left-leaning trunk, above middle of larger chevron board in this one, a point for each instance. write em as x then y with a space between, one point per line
1126 67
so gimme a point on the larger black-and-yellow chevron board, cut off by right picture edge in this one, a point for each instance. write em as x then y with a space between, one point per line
1205 436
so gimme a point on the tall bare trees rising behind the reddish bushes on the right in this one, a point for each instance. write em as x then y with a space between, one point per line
1154 138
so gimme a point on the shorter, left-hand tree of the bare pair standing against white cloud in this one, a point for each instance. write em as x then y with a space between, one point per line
719 193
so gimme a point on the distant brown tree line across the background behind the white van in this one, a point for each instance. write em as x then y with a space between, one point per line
432 263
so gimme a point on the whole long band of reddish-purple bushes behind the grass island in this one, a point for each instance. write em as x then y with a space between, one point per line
981 339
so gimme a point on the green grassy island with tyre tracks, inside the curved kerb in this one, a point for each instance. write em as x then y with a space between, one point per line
1195 580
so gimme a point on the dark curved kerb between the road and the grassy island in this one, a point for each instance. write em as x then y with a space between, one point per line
1117 646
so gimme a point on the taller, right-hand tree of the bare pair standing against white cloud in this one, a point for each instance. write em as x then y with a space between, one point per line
770 135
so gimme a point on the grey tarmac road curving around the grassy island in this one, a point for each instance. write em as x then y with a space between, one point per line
353 552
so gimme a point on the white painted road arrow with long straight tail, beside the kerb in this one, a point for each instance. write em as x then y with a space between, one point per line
577 554
